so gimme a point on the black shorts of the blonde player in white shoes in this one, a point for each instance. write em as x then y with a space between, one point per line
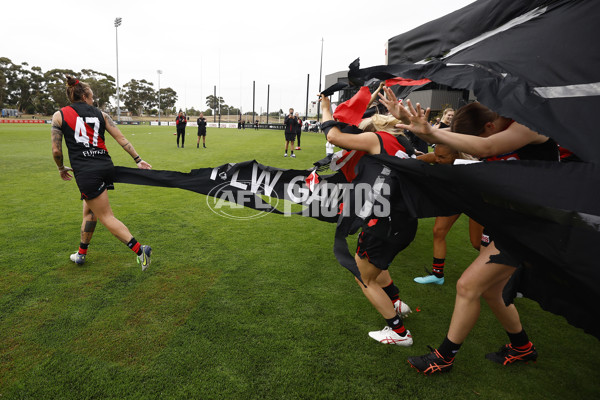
381 240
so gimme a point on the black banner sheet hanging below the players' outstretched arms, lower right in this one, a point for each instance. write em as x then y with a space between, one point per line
547 213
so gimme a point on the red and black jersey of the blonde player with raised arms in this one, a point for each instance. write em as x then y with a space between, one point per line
394 146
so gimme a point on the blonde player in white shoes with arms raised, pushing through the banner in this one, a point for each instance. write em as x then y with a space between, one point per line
384 237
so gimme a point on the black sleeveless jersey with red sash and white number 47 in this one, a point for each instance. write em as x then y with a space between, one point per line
83 128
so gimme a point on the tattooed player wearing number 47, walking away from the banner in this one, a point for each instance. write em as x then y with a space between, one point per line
83 126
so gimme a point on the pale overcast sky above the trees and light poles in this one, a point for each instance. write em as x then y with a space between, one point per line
200 44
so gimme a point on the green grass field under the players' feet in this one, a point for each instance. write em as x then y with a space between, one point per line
229 309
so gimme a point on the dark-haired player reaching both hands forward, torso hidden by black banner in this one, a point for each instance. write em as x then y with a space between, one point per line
483 134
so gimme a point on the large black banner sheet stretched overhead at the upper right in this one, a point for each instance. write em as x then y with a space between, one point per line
529 60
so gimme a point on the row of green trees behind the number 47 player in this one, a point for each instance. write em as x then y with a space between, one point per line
33 91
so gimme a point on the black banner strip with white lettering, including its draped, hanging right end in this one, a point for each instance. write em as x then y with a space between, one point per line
327 198
